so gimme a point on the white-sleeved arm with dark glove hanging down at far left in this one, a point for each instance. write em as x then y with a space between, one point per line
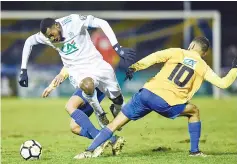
29 43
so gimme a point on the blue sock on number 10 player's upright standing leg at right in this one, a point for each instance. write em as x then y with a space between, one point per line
194 132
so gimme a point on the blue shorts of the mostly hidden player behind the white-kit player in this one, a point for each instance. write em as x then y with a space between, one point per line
86 108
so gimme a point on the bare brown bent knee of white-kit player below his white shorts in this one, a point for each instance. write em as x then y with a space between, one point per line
88 86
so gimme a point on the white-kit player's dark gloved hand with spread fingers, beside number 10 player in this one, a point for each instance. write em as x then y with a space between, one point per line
125 53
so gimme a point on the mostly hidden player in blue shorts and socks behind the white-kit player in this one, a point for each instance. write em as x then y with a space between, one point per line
80 111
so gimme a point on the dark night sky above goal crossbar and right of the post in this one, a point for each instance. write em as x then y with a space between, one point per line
227 9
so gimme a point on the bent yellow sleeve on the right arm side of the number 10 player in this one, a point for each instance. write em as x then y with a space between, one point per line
224 82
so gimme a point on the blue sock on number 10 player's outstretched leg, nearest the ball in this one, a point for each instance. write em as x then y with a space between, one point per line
103 136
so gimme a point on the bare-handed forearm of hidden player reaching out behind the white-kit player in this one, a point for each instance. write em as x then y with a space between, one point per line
63 75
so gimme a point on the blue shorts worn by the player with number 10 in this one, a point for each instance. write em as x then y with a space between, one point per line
145 102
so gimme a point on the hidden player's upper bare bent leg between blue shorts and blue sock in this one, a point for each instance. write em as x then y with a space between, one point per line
73 103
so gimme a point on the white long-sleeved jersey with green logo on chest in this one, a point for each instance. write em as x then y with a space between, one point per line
77 48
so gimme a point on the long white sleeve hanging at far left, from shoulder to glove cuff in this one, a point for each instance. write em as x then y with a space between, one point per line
30 41
